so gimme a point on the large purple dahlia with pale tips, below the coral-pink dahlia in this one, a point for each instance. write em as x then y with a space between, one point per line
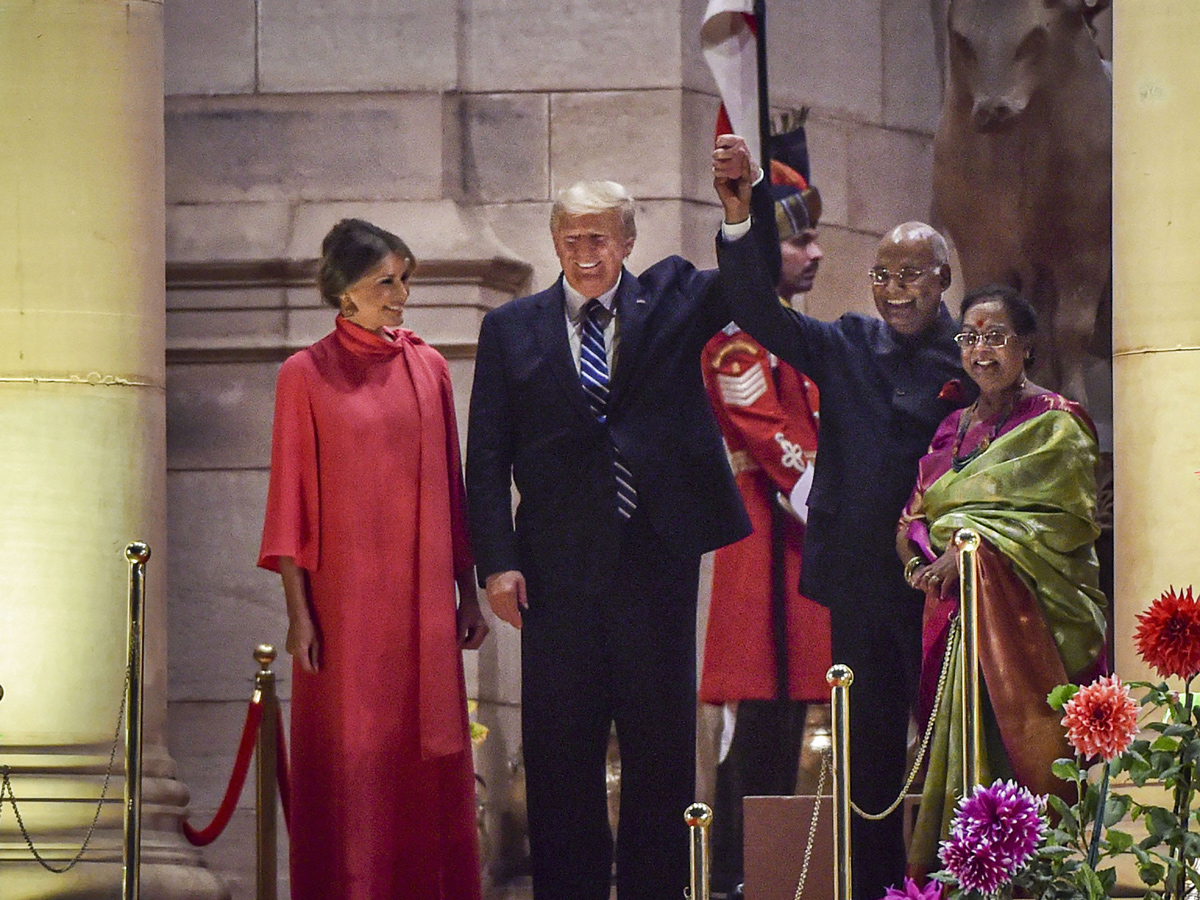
995 833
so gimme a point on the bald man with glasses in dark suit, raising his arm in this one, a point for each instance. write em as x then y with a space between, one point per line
885 387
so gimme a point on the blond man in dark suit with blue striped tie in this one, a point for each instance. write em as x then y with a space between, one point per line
623 485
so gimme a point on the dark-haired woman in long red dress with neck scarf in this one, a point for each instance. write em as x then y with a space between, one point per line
365 524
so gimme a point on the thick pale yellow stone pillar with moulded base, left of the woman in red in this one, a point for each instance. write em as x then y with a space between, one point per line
82 441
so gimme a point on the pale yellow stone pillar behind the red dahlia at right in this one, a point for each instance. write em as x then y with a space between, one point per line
1156 331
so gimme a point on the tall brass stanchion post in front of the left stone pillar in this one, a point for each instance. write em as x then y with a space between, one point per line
137 555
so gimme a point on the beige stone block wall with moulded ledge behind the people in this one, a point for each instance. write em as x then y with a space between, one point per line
453 124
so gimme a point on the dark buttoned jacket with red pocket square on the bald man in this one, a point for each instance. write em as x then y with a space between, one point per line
880 407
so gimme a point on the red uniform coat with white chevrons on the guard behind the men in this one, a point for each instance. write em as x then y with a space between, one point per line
769 417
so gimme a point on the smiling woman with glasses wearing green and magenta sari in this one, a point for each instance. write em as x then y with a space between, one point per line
1017 467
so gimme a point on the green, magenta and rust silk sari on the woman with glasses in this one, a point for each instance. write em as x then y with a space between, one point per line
1030 496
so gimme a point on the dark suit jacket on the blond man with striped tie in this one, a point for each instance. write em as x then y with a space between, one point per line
531 422
